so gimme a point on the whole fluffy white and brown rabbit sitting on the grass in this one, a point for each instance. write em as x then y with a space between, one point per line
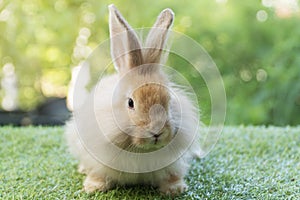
131 115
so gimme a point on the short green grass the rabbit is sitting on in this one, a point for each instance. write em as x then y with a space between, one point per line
247 163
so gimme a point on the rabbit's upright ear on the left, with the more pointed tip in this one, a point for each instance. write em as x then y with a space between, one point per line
125 46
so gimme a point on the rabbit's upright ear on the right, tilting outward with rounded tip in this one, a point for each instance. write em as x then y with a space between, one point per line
158 36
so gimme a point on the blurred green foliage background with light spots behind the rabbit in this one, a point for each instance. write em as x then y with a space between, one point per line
255 44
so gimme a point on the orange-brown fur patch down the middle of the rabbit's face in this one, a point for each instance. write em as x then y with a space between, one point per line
151 102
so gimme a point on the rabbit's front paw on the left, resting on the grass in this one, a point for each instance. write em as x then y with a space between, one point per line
92 184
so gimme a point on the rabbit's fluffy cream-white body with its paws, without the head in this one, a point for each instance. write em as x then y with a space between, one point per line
88 136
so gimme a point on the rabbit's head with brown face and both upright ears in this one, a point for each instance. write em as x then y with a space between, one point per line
141 100
